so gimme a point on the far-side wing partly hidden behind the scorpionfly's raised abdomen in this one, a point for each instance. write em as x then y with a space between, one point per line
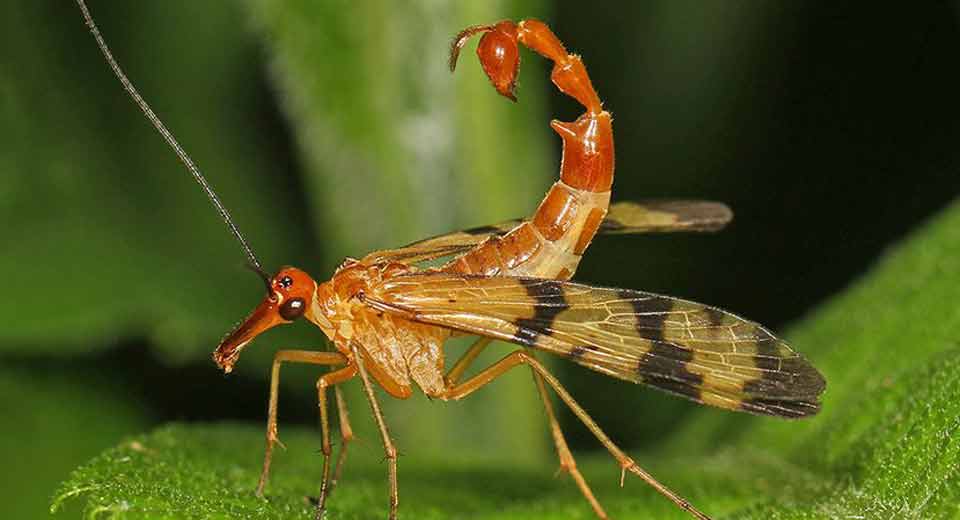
622 218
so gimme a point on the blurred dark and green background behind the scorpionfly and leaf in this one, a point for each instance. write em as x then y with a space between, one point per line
331 128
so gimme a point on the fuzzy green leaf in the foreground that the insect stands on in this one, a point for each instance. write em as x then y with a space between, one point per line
885 445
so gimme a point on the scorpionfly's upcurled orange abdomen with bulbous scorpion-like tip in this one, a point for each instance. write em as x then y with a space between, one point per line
550 243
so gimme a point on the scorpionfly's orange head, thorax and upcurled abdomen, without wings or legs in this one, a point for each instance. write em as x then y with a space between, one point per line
548 245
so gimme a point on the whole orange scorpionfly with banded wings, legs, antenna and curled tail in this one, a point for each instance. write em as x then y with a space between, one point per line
388 316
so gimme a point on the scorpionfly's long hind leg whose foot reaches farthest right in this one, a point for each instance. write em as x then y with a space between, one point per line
626 463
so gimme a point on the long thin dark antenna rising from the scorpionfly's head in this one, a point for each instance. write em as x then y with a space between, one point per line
167 136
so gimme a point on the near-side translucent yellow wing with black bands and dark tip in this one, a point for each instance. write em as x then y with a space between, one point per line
686 348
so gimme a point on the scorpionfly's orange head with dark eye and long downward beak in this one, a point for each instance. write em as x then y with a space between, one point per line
290 294
